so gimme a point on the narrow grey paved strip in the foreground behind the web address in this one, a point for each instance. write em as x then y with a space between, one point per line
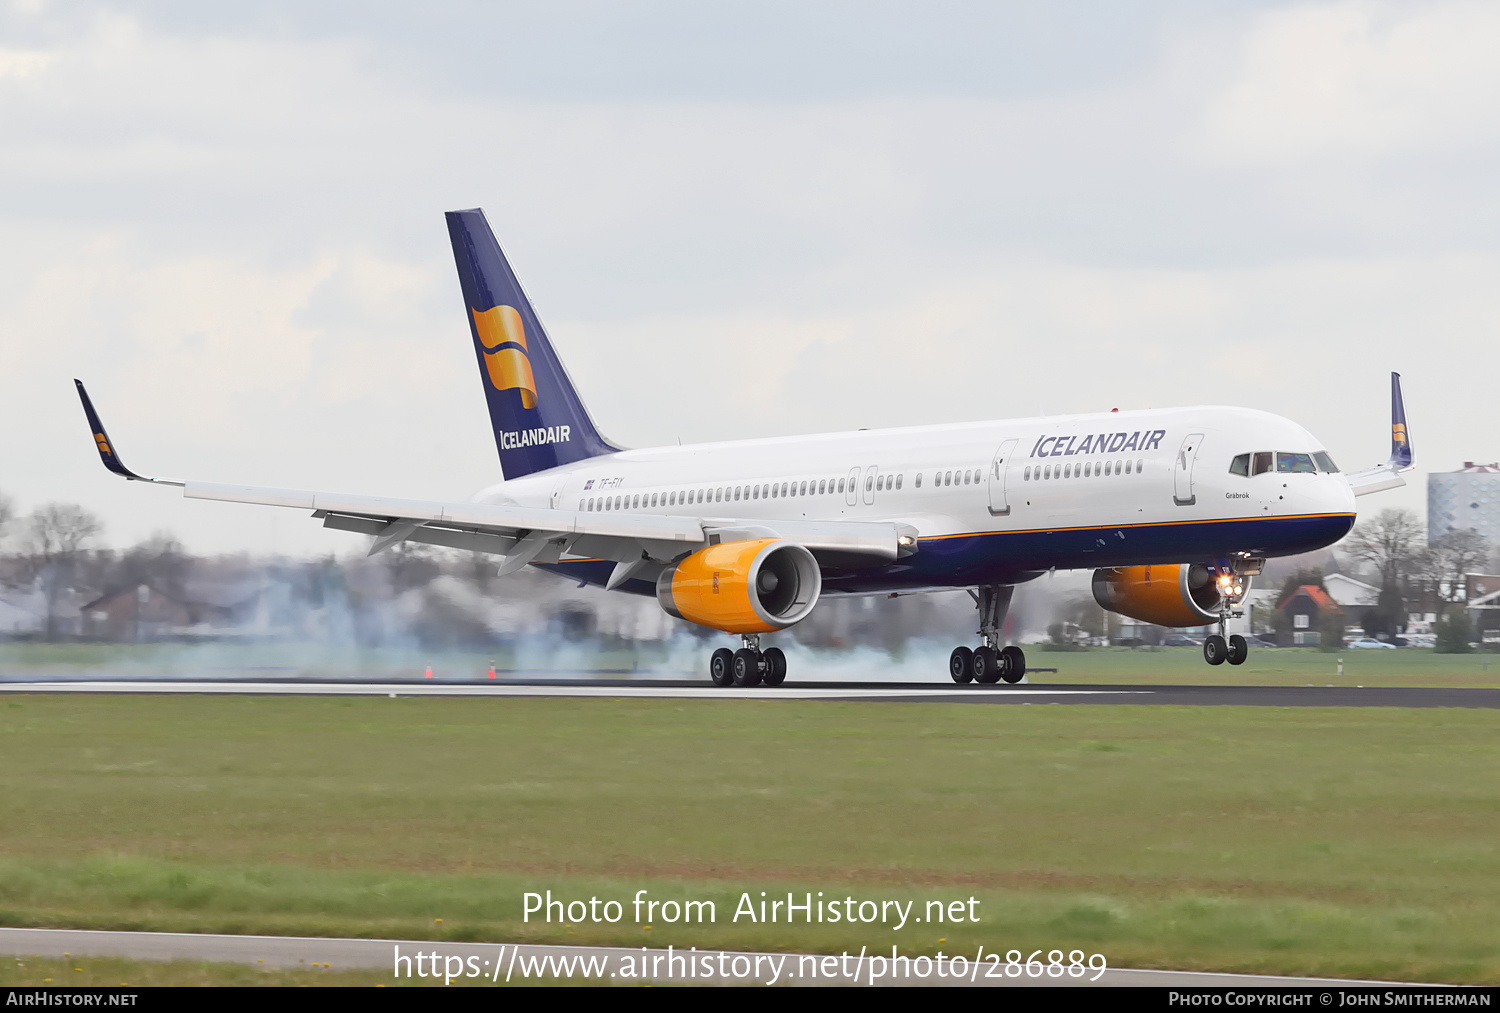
518 963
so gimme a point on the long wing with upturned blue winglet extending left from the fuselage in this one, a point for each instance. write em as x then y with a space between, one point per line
535 535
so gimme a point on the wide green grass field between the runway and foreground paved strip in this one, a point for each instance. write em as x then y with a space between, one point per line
1355 843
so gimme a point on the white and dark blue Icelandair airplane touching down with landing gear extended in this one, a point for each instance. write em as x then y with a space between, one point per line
1175 511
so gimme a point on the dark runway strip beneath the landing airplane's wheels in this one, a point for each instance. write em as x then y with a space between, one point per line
811 691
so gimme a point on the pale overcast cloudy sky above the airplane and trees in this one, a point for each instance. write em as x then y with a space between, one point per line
736 220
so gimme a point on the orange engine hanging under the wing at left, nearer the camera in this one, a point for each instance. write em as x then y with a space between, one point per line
743 588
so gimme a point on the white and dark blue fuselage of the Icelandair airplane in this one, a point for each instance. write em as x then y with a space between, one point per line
992 500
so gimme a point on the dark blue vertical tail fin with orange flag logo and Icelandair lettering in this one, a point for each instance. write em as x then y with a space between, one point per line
538 416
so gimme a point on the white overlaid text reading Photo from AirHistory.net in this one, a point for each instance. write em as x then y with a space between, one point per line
764 910
